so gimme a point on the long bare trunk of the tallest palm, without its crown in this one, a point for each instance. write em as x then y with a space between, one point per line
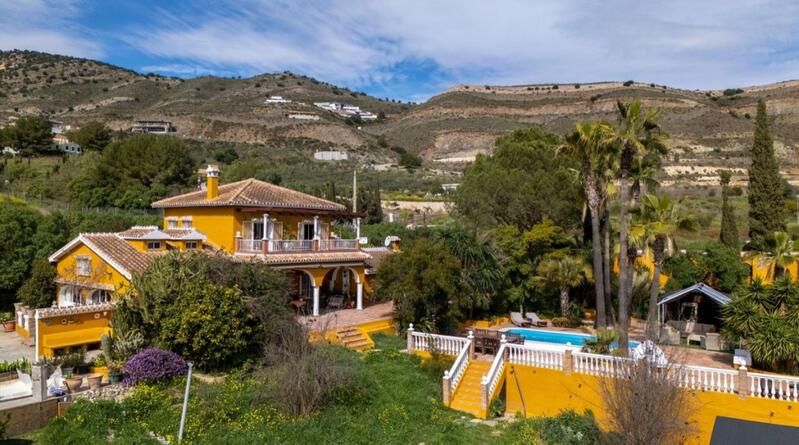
624 297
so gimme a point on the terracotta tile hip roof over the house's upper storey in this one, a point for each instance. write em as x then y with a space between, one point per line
252 193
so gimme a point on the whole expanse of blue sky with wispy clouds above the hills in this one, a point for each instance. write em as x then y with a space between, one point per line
412 49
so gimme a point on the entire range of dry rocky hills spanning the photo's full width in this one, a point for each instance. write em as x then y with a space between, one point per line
710 130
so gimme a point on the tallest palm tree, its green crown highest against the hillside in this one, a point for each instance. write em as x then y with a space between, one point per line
638 133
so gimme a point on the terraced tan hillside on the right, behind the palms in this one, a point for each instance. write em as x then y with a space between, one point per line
709 129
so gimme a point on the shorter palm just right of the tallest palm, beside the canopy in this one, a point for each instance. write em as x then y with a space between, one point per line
658 220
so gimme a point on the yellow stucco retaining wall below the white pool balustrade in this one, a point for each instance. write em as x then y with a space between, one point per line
547 392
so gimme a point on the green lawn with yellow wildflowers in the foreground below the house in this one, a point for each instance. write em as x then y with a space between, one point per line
398 402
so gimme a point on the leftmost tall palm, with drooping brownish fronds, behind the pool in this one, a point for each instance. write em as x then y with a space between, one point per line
590 145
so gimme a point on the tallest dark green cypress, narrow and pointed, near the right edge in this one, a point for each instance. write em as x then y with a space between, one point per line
765 185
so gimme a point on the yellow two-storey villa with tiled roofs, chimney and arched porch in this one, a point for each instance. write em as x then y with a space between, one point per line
248 220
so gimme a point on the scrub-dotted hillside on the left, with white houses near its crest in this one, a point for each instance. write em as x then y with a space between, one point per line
74 91
